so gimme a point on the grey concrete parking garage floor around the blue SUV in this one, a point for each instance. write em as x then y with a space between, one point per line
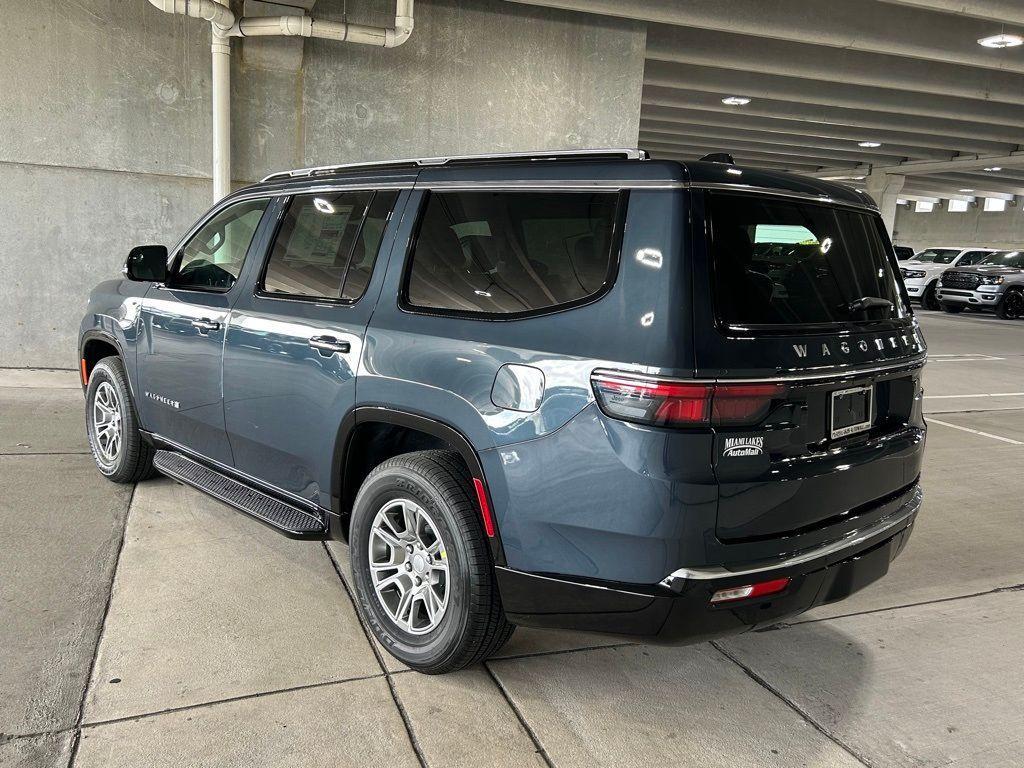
156 627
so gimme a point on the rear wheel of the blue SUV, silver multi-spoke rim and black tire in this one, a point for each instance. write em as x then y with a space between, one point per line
421 565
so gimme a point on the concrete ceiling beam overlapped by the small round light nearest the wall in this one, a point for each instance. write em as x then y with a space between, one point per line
655 97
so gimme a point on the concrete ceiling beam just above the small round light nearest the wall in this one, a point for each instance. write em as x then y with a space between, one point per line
829 94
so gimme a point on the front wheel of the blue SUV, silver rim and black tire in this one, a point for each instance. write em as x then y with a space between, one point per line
112 425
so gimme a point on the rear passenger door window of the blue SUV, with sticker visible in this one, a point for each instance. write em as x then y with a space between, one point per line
325 238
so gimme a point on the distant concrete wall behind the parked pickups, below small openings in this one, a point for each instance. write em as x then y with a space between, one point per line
973 228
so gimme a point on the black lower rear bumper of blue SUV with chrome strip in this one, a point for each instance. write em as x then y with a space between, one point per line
679 611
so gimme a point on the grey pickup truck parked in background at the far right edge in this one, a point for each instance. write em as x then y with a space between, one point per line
995 283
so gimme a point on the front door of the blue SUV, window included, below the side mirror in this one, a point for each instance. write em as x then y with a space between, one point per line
184 324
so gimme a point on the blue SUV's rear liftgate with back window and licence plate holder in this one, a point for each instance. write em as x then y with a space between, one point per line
803 296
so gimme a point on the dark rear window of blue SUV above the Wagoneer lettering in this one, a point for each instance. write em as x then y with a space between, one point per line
787 263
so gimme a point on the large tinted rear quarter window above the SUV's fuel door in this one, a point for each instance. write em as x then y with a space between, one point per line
513 252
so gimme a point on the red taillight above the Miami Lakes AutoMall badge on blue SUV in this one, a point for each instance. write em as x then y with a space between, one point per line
676 404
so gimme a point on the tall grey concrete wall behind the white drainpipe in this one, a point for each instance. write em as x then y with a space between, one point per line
105 123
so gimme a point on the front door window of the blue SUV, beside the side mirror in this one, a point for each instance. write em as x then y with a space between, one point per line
214 259
